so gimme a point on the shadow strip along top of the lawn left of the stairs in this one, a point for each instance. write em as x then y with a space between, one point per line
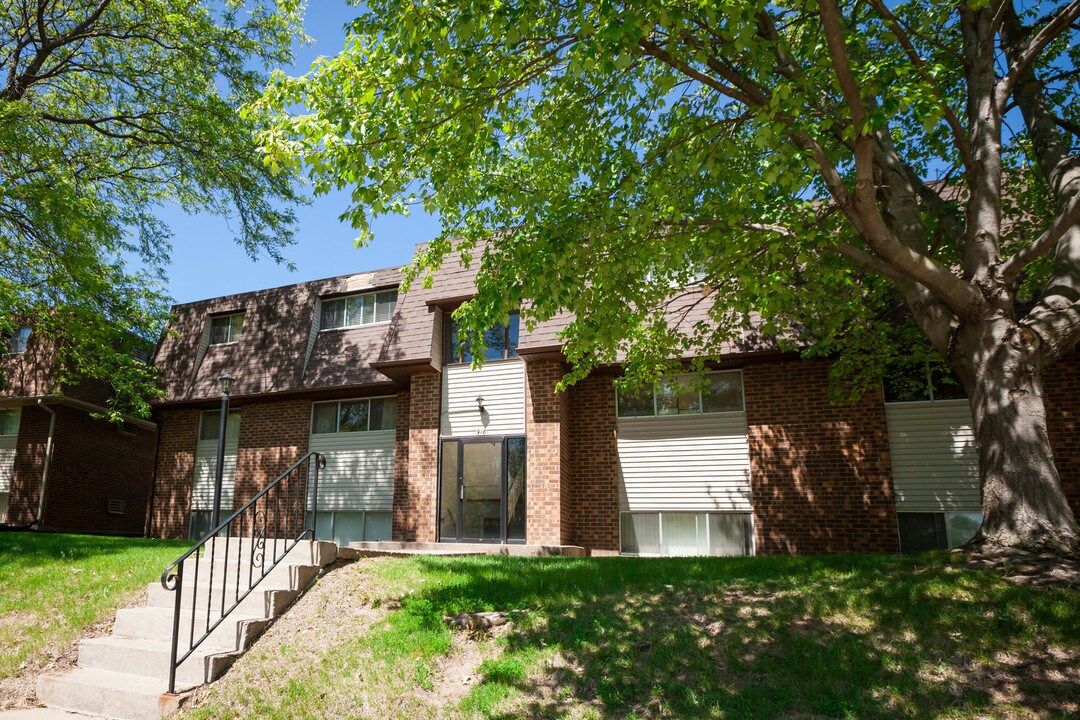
24 550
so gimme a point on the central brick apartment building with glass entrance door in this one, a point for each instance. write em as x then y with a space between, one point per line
421 447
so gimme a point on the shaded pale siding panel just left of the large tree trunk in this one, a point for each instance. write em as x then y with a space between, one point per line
935 463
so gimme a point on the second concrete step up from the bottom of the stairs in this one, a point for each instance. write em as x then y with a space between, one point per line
152 659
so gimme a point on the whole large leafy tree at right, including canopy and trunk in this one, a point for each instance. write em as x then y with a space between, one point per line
852 173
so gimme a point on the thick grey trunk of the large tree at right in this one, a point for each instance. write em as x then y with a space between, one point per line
1023 502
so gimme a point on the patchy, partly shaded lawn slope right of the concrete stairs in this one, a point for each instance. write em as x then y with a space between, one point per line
821 637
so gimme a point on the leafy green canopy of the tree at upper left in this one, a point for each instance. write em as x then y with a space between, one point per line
110 111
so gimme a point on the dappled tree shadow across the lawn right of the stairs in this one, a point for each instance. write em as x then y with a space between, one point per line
842 636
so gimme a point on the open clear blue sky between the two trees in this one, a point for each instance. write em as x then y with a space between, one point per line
206 263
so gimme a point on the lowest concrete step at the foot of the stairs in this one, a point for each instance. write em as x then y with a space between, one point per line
116 696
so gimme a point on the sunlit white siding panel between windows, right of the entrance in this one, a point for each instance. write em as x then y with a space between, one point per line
697 463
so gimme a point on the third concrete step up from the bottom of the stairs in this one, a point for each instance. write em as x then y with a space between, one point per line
236 632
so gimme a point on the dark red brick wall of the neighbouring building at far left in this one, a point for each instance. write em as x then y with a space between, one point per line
93 463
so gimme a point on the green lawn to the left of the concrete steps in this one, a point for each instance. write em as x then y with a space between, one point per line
56 587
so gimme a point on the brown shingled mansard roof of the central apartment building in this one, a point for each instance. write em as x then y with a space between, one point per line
282 350
